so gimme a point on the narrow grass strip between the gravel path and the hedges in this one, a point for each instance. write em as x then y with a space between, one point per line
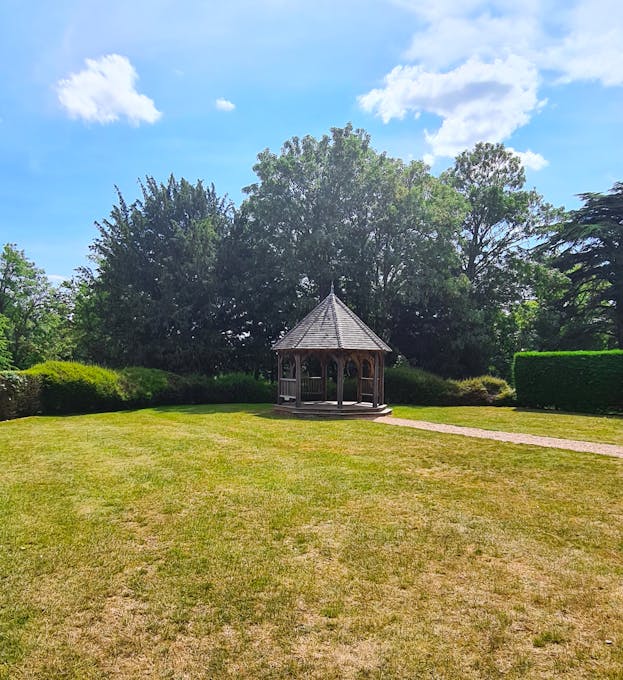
606 429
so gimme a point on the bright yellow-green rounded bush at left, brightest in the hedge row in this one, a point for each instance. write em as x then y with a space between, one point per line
69 387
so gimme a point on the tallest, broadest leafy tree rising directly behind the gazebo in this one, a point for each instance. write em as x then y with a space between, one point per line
334 210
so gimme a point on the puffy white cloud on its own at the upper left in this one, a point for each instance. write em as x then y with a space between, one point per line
105 91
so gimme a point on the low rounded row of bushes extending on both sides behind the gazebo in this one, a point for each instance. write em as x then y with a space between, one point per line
57 387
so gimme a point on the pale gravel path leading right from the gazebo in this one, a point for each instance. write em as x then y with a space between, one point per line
515 438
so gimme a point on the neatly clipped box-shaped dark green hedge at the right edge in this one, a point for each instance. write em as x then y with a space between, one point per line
571 381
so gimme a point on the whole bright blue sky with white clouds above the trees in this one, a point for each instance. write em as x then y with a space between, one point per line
96 95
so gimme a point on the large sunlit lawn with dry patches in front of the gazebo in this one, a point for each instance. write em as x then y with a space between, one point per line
223 542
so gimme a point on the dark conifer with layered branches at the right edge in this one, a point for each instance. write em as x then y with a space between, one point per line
588 249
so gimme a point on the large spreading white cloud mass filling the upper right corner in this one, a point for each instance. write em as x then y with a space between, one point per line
479 64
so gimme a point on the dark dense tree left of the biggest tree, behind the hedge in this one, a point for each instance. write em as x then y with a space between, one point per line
151 298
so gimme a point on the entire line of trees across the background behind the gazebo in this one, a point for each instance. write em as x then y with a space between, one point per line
456 272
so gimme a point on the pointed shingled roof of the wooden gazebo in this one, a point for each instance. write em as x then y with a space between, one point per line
331 325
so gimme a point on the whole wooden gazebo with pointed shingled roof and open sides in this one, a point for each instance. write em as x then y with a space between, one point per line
330 341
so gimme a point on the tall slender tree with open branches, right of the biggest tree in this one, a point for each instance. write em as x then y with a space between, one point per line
499 228
